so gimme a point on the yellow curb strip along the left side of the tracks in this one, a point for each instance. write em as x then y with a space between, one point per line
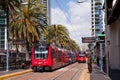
14 74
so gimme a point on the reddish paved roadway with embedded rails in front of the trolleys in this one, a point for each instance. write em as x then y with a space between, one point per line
71 72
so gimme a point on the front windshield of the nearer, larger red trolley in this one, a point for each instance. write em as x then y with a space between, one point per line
41 52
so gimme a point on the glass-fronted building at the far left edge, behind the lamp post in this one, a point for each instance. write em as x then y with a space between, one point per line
3 29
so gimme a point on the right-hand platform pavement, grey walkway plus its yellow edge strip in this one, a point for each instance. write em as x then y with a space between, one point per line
96 74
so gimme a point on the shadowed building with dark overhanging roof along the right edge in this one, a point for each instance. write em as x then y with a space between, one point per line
112 19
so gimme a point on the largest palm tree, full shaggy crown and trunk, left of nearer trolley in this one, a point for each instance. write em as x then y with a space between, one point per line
26 26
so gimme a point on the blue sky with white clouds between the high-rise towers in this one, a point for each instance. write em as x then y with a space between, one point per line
75 16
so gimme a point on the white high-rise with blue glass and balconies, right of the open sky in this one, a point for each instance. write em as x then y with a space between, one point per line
97 17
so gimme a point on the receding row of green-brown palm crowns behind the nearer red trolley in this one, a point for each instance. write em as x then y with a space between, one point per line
59 34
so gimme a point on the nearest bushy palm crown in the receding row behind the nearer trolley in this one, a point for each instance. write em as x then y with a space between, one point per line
56 34
